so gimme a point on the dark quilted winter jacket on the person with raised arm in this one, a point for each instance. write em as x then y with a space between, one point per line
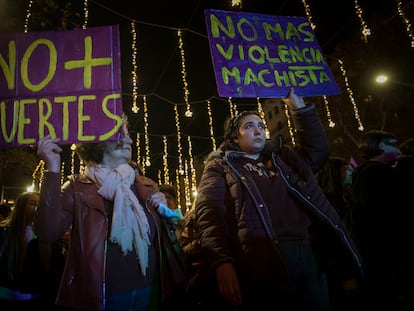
231 213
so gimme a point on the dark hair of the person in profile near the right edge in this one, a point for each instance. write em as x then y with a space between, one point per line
369 144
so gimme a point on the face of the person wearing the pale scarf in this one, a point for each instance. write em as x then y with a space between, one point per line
118 153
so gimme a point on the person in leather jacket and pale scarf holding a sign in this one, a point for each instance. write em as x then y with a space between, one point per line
118 258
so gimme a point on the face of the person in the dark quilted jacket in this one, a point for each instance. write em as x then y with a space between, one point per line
251 137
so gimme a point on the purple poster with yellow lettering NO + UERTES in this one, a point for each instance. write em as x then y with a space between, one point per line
63 83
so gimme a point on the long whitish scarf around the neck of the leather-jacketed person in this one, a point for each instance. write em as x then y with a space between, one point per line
130 227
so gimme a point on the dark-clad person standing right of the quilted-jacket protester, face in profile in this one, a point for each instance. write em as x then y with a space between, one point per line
374 218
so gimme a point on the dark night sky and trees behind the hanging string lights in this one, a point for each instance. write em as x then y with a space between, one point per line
338 29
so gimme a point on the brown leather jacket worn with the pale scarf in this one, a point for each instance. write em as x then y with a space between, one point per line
79 205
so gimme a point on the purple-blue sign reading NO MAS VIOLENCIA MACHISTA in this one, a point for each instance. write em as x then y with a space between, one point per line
258 55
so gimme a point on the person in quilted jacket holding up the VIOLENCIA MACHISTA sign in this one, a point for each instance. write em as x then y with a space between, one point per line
266 229
